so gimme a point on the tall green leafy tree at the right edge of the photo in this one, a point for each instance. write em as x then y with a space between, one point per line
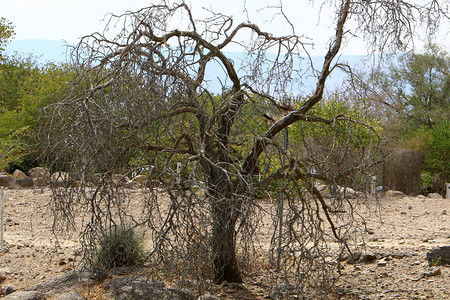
414 94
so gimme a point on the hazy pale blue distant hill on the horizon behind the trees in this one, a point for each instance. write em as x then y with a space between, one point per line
57 51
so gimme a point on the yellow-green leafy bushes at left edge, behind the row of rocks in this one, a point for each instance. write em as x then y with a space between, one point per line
25 88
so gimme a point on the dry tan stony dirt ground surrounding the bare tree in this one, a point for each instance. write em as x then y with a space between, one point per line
400 234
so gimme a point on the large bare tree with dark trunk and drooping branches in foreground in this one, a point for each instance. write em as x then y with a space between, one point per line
146 106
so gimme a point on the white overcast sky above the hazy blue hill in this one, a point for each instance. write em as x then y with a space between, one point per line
69 20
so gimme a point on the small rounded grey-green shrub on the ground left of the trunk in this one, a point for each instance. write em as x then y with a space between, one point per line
120 246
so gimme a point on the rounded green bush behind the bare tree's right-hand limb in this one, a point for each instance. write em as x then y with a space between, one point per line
343 140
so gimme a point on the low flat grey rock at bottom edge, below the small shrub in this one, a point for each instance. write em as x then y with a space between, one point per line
137 288
